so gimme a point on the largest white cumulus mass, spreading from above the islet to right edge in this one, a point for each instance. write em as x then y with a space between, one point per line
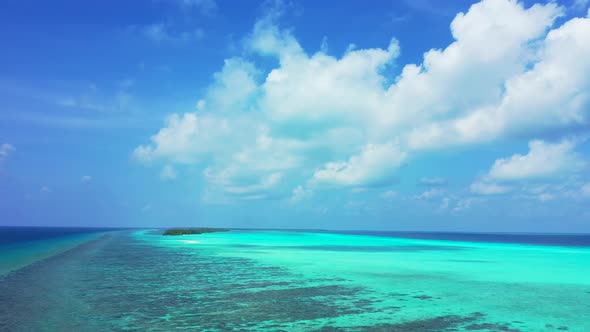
328 121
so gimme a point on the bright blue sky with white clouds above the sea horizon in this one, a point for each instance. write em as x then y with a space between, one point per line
398 115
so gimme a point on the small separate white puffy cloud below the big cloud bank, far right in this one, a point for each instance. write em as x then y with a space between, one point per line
542 160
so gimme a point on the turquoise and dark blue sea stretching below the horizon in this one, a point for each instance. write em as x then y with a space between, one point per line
272 280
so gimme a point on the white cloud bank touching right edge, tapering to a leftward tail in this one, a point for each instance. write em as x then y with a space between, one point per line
552 92
